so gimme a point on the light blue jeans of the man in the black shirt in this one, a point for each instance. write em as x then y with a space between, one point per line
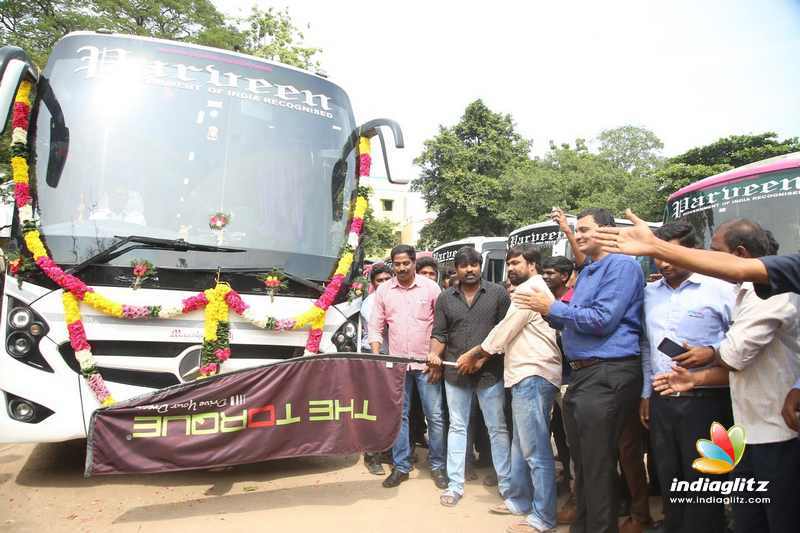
459 403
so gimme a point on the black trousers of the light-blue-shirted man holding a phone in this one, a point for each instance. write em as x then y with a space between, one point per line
675 426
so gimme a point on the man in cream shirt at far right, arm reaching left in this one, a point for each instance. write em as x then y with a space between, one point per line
761 350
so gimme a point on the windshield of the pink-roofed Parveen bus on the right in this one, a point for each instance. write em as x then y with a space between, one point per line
771 199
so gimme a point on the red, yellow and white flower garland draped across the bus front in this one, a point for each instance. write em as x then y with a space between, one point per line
216 302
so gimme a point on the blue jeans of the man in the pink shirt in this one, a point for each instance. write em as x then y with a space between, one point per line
431 396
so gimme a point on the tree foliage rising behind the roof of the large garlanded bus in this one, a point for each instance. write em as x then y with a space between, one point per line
36 25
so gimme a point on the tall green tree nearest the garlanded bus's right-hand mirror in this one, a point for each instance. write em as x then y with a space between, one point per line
462 175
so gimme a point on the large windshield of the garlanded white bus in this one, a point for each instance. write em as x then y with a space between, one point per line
145 137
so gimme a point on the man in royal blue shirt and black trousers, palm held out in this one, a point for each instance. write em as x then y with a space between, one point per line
600 331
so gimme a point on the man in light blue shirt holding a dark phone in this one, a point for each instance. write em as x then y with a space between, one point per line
694 311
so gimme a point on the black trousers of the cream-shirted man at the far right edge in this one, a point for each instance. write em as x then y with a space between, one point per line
778 463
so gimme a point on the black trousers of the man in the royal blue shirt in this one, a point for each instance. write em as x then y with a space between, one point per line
597 402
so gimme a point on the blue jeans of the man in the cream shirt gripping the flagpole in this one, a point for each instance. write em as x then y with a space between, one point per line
533 469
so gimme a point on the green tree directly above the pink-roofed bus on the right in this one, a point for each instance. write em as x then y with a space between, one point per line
719 156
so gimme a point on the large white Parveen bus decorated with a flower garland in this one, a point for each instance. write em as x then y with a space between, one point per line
137 144
